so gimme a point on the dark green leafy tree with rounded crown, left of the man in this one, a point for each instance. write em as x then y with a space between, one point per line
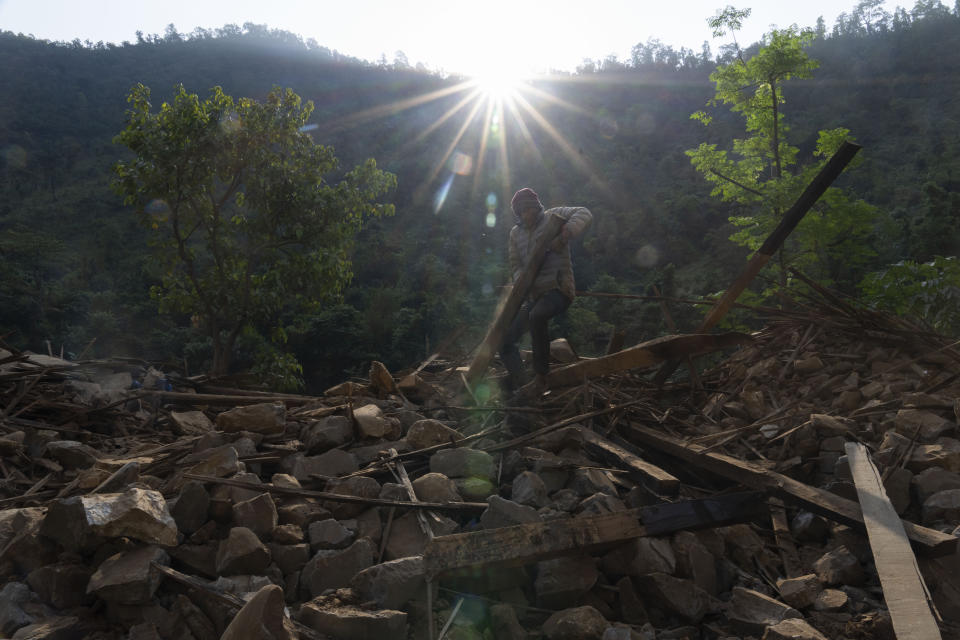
247 228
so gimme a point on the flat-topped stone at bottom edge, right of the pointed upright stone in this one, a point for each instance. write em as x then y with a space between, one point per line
351 623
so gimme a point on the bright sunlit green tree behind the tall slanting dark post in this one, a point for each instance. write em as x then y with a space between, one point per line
762 172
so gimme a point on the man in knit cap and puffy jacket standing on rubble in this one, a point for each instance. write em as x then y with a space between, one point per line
553 288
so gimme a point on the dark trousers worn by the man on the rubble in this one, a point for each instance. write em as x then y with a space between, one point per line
534 316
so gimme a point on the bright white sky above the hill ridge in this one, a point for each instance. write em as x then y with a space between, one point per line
452 35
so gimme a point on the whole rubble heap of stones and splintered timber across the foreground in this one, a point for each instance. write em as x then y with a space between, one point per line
615 509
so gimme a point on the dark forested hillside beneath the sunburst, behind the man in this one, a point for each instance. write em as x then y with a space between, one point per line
76 267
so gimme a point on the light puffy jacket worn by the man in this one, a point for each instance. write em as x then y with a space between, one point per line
557 269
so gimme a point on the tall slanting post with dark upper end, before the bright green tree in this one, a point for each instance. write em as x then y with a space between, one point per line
830 172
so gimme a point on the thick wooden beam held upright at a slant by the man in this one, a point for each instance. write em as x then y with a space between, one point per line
511 302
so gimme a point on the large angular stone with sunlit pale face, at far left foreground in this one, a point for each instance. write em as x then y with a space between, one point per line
140 514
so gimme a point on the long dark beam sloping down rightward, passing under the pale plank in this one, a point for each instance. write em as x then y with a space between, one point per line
820 501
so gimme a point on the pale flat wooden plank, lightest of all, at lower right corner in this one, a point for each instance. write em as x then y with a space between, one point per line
903 587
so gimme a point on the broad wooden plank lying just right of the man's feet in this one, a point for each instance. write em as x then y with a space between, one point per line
645 354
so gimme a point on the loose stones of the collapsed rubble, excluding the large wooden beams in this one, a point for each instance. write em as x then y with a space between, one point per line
91 557
